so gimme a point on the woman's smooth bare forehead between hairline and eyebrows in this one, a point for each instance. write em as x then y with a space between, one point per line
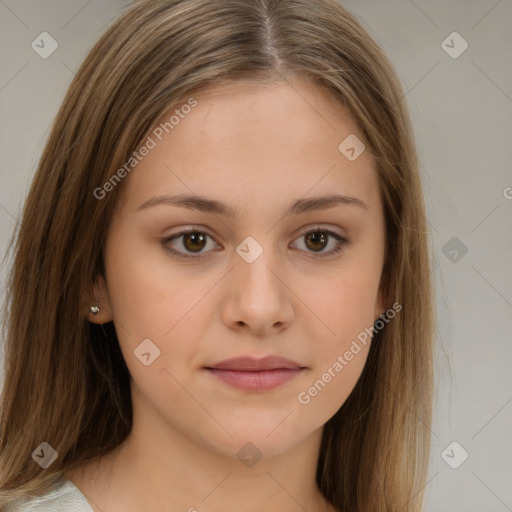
243 139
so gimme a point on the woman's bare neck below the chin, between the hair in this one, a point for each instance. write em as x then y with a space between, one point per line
160 468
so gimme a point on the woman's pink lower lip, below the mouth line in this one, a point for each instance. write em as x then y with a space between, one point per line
256 380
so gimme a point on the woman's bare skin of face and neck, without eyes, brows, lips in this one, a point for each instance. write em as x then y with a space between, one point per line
257 149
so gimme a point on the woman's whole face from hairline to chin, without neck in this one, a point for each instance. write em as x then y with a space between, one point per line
269 272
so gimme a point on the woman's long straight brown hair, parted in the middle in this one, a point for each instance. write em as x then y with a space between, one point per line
66 382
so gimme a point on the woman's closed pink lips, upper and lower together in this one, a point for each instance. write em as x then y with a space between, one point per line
256 374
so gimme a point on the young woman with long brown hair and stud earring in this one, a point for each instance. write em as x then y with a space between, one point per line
220 297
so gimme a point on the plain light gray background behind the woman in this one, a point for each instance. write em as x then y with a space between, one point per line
462 111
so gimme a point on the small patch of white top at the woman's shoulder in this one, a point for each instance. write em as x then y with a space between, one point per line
65 497
